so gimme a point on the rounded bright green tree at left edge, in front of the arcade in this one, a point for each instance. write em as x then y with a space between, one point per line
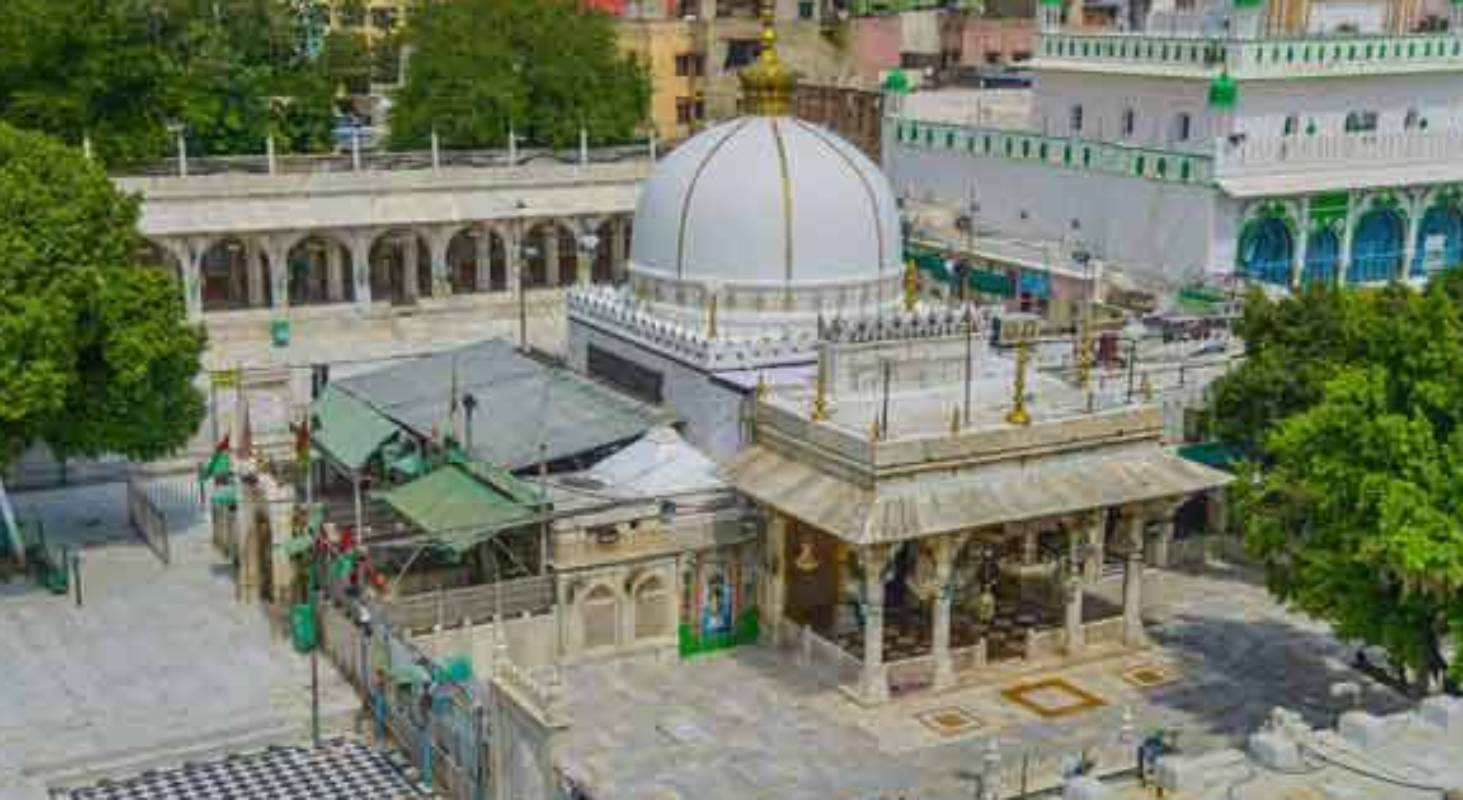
99 358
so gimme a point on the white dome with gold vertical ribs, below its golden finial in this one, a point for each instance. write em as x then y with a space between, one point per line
769 203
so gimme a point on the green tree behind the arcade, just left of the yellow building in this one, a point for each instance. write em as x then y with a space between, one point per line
546 69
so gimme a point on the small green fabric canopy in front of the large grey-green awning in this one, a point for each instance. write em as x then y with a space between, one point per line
460 510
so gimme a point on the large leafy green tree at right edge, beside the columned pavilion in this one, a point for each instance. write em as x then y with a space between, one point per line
1351 407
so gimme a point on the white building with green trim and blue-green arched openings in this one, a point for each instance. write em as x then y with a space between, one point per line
1216 150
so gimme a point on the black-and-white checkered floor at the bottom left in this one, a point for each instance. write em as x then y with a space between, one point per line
337 771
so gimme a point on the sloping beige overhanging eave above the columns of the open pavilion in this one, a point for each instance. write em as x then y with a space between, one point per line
981 498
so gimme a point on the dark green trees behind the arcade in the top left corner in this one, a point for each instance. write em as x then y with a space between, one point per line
121 72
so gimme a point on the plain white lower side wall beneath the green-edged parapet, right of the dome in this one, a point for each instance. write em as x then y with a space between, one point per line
1145 227
